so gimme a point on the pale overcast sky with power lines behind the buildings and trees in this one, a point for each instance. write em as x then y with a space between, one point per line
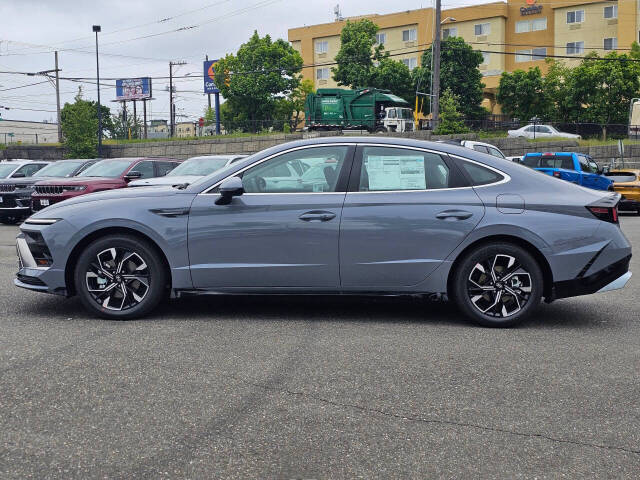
138 39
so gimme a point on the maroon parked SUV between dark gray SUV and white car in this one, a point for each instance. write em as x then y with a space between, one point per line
104 175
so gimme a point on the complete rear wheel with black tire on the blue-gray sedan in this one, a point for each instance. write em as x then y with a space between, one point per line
504 295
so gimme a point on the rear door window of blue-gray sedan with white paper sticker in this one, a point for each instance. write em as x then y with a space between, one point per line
393 169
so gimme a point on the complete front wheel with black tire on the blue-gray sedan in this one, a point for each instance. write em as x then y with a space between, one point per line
124 270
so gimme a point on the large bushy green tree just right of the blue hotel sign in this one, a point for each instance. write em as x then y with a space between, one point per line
251 80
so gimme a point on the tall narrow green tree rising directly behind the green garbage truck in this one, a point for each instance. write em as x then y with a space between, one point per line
358 52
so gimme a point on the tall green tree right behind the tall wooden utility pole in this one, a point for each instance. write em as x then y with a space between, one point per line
458 72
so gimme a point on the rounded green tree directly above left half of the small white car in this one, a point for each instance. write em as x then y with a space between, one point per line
522 94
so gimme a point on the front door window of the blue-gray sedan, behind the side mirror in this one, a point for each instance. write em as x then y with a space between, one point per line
302 171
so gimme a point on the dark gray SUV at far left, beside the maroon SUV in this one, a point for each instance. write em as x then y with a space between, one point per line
16 192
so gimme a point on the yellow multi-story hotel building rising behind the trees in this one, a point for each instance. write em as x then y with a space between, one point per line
516 34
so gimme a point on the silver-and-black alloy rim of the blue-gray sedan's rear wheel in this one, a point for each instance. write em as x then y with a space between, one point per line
499 286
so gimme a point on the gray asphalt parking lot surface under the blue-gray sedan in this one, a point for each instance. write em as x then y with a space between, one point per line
318 387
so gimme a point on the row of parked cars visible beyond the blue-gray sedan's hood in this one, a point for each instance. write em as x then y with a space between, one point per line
27 186
